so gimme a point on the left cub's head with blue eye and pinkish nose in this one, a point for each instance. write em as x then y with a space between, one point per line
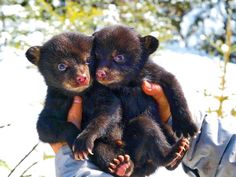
65 61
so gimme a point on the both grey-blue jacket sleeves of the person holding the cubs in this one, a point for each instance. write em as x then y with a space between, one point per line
212 153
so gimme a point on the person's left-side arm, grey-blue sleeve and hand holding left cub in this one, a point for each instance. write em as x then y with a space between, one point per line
65 164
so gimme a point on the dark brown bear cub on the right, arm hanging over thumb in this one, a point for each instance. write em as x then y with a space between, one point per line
122 64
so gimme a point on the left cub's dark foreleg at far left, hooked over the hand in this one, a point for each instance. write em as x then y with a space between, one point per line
52 124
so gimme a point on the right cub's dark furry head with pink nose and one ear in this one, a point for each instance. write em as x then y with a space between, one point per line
121 54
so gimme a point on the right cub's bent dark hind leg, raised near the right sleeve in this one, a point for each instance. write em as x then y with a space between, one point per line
147 145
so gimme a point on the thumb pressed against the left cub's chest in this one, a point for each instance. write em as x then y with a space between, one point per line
75 112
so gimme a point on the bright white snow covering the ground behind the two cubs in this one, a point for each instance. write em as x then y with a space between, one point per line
23 91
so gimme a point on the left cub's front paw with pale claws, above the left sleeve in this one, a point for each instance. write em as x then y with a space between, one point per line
83 146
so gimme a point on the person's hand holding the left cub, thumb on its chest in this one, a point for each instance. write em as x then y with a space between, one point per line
74 116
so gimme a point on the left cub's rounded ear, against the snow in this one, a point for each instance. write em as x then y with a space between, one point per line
33 54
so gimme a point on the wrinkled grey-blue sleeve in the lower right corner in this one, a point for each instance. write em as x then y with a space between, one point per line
213 152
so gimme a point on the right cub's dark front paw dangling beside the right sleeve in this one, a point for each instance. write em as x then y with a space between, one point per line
185 127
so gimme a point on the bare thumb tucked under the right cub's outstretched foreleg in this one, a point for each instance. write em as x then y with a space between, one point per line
157 93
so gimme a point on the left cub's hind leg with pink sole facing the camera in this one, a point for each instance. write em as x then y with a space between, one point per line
109 154
